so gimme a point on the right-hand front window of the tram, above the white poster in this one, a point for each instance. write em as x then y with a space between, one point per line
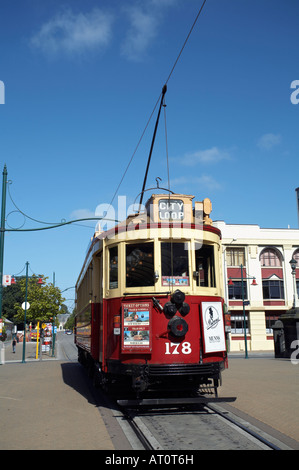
204 259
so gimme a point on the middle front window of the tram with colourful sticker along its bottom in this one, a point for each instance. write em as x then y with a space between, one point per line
175 265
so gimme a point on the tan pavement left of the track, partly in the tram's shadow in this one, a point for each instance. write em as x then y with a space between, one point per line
48 405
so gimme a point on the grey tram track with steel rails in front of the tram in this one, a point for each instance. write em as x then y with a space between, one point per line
216 428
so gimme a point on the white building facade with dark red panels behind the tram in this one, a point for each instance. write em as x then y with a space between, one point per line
267 287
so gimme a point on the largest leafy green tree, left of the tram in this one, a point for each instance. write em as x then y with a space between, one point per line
45 301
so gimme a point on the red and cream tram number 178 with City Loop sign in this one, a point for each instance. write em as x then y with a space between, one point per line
150 302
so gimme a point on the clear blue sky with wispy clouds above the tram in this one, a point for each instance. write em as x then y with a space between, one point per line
81 79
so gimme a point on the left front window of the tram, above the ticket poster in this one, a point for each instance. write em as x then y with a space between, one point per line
140 265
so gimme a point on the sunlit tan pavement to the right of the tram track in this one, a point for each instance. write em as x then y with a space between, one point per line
266 389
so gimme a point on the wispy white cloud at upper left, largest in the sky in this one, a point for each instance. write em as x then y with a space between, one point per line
72 34
